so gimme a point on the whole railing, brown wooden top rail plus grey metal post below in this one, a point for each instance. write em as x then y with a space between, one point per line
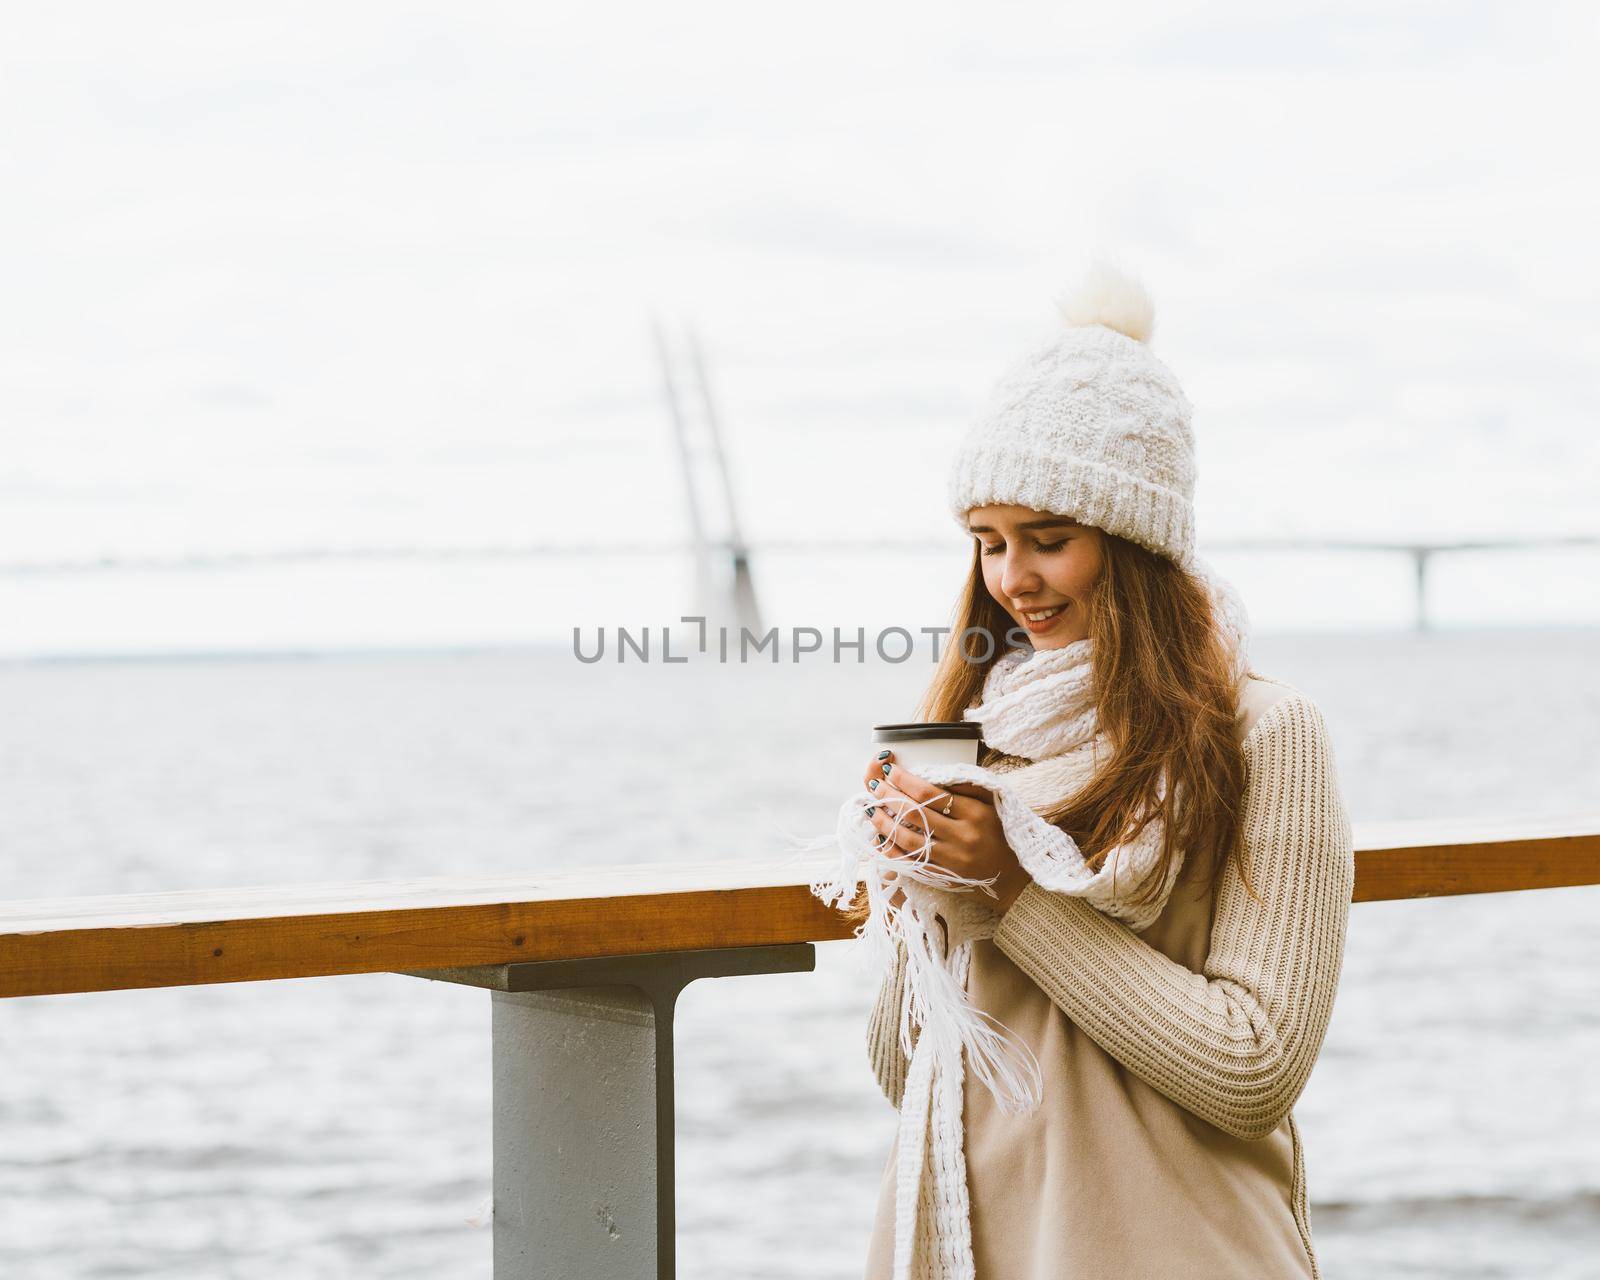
585 970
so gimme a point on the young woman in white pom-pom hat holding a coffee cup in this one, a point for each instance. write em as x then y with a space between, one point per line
1174 1026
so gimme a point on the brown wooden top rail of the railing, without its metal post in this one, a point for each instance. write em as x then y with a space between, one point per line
191 938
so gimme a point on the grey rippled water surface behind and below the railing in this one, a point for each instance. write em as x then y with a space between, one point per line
340 1127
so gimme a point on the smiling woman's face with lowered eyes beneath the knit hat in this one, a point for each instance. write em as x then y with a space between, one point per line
1038 564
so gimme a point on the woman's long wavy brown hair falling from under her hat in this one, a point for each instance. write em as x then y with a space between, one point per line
1166 700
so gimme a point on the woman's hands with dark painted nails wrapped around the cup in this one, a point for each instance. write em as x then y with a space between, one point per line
970 841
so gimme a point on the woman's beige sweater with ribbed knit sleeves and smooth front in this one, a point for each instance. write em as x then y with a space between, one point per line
1172 1058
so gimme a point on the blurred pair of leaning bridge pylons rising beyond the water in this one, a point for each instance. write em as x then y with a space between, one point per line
724 585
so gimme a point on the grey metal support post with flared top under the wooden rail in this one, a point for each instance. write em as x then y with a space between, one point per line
585 1106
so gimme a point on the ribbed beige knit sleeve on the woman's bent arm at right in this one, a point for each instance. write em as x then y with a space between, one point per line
1236 1042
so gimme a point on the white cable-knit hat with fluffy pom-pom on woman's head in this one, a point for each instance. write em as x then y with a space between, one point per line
1090 426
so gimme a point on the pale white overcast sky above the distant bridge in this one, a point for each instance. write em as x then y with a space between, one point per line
367 274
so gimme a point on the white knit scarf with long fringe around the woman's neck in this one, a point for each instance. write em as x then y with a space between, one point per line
1034 705
